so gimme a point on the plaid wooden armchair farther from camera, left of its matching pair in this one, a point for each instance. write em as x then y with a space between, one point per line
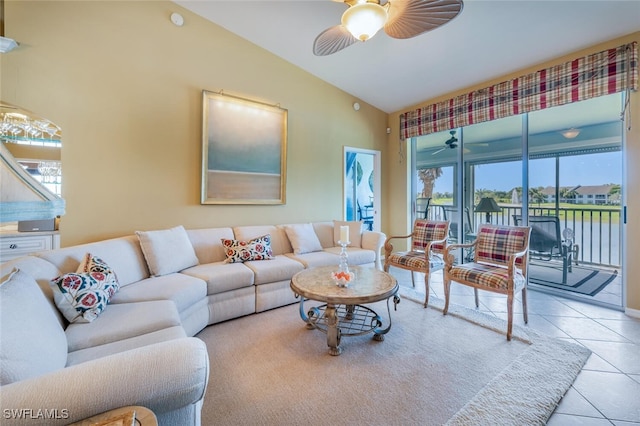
428 241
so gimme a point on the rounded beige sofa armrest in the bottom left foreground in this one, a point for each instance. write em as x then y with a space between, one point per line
163 377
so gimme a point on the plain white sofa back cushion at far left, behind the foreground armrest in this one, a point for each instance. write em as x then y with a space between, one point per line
32 340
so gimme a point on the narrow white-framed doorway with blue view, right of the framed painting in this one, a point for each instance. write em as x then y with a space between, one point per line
361 191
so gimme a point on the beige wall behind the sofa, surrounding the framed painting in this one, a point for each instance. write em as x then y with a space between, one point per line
125 85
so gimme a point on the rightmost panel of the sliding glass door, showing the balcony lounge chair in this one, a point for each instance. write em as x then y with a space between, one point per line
575 180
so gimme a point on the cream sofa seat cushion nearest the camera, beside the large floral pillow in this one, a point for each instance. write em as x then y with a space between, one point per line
123 321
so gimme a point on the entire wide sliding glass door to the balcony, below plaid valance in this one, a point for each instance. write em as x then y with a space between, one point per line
559 170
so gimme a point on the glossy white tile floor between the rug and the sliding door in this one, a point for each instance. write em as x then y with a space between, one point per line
607 390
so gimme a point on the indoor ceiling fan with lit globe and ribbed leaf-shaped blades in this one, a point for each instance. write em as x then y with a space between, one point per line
400 18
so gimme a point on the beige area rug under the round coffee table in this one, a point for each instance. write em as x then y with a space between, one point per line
430 370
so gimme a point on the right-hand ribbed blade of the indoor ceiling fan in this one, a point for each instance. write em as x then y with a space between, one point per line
409 18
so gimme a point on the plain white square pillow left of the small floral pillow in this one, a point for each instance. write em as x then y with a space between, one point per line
167 251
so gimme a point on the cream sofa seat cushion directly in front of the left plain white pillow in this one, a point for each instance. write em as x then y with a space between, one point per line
183 290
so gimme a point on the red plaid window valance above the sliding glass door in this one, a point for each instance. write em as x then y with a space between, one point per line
610 71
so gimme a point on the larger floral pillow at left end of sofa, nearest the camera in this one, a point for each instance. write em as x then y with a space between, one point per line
83 295
